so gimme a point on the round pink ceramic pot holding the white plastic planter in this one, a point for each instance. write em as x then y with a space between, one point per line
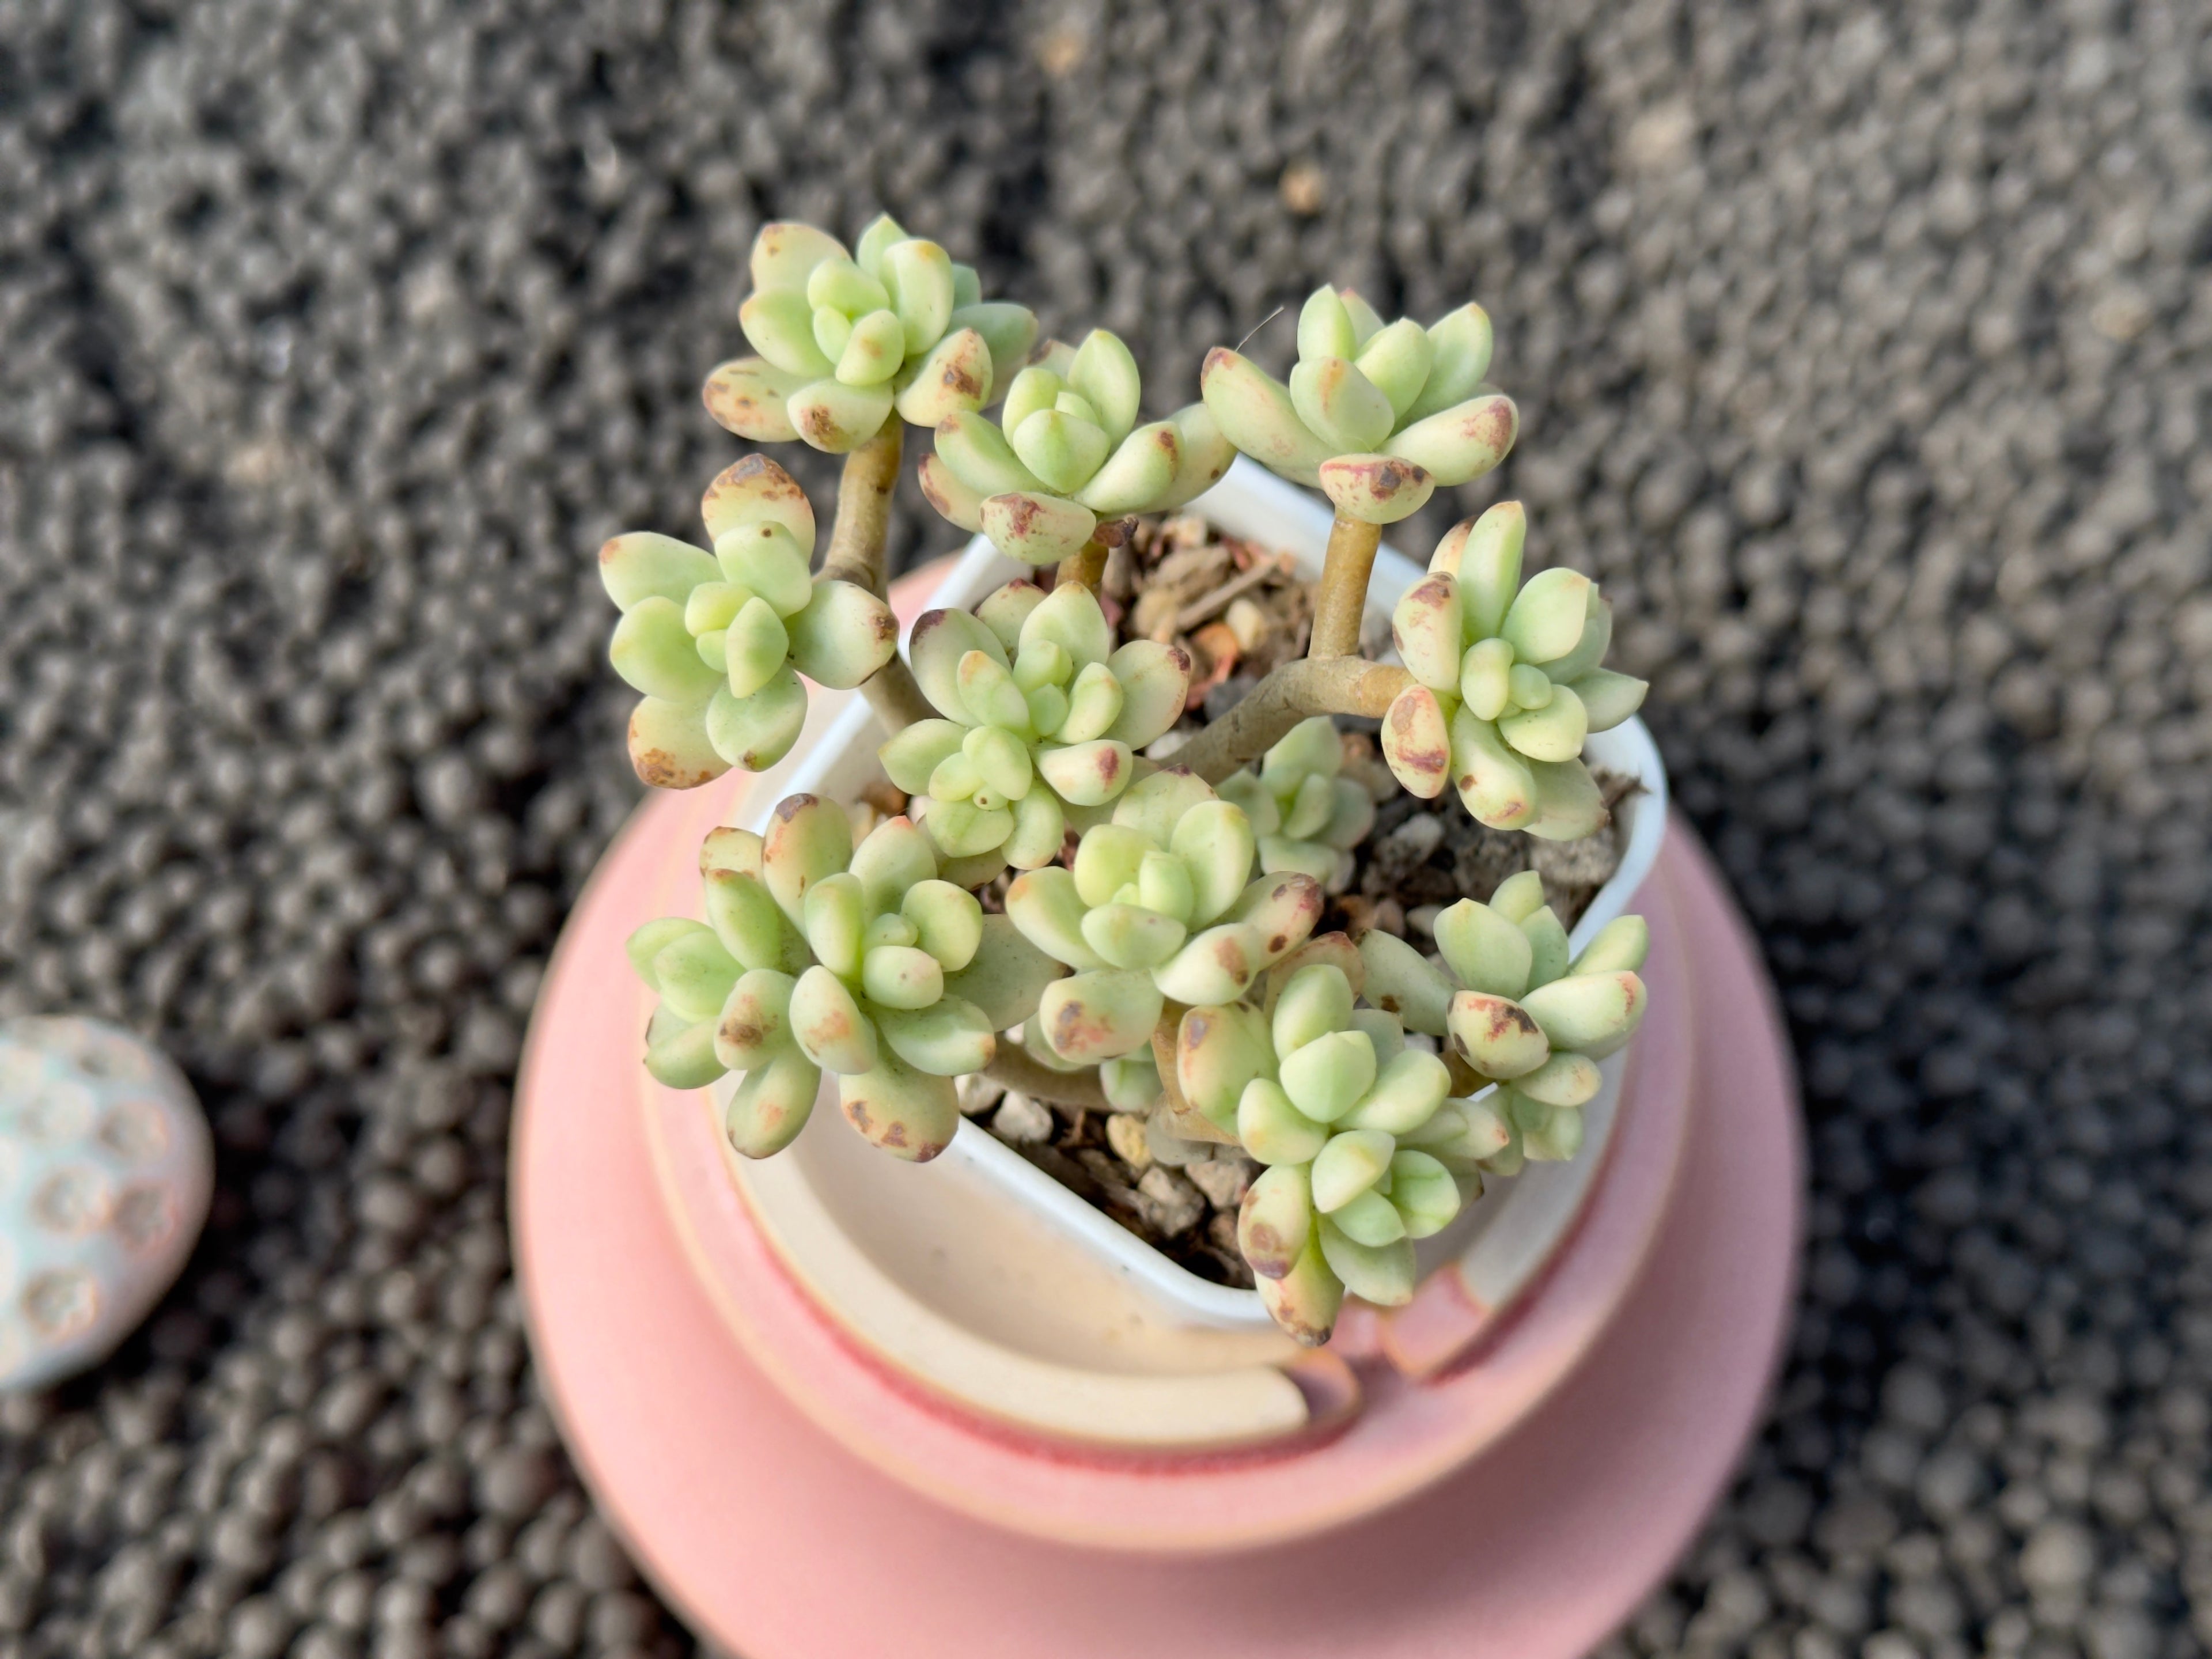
755 1439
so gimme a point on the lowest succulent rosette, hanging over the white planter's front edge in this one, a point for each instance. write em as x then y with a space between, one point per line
1364 1145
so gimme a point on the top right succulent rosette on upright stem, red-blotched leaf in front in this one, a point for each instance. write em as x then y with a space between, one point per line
1377 415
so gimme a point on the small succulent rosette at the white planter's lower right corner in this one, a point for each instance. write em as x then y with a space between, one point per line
1519 1010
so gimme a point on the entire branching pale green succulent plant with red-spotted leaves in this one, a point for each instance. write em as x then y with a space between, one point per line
1156 948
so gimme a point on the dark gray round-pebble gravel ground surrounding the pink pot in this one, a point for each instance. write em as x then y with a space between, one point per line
1864 353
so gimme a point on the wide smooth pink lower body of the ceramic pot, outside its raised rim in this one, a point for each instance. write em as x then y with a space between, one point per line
773 1541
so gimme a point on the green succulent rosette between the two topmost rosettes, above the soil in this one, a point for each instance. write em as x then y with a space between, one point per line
1070 452
